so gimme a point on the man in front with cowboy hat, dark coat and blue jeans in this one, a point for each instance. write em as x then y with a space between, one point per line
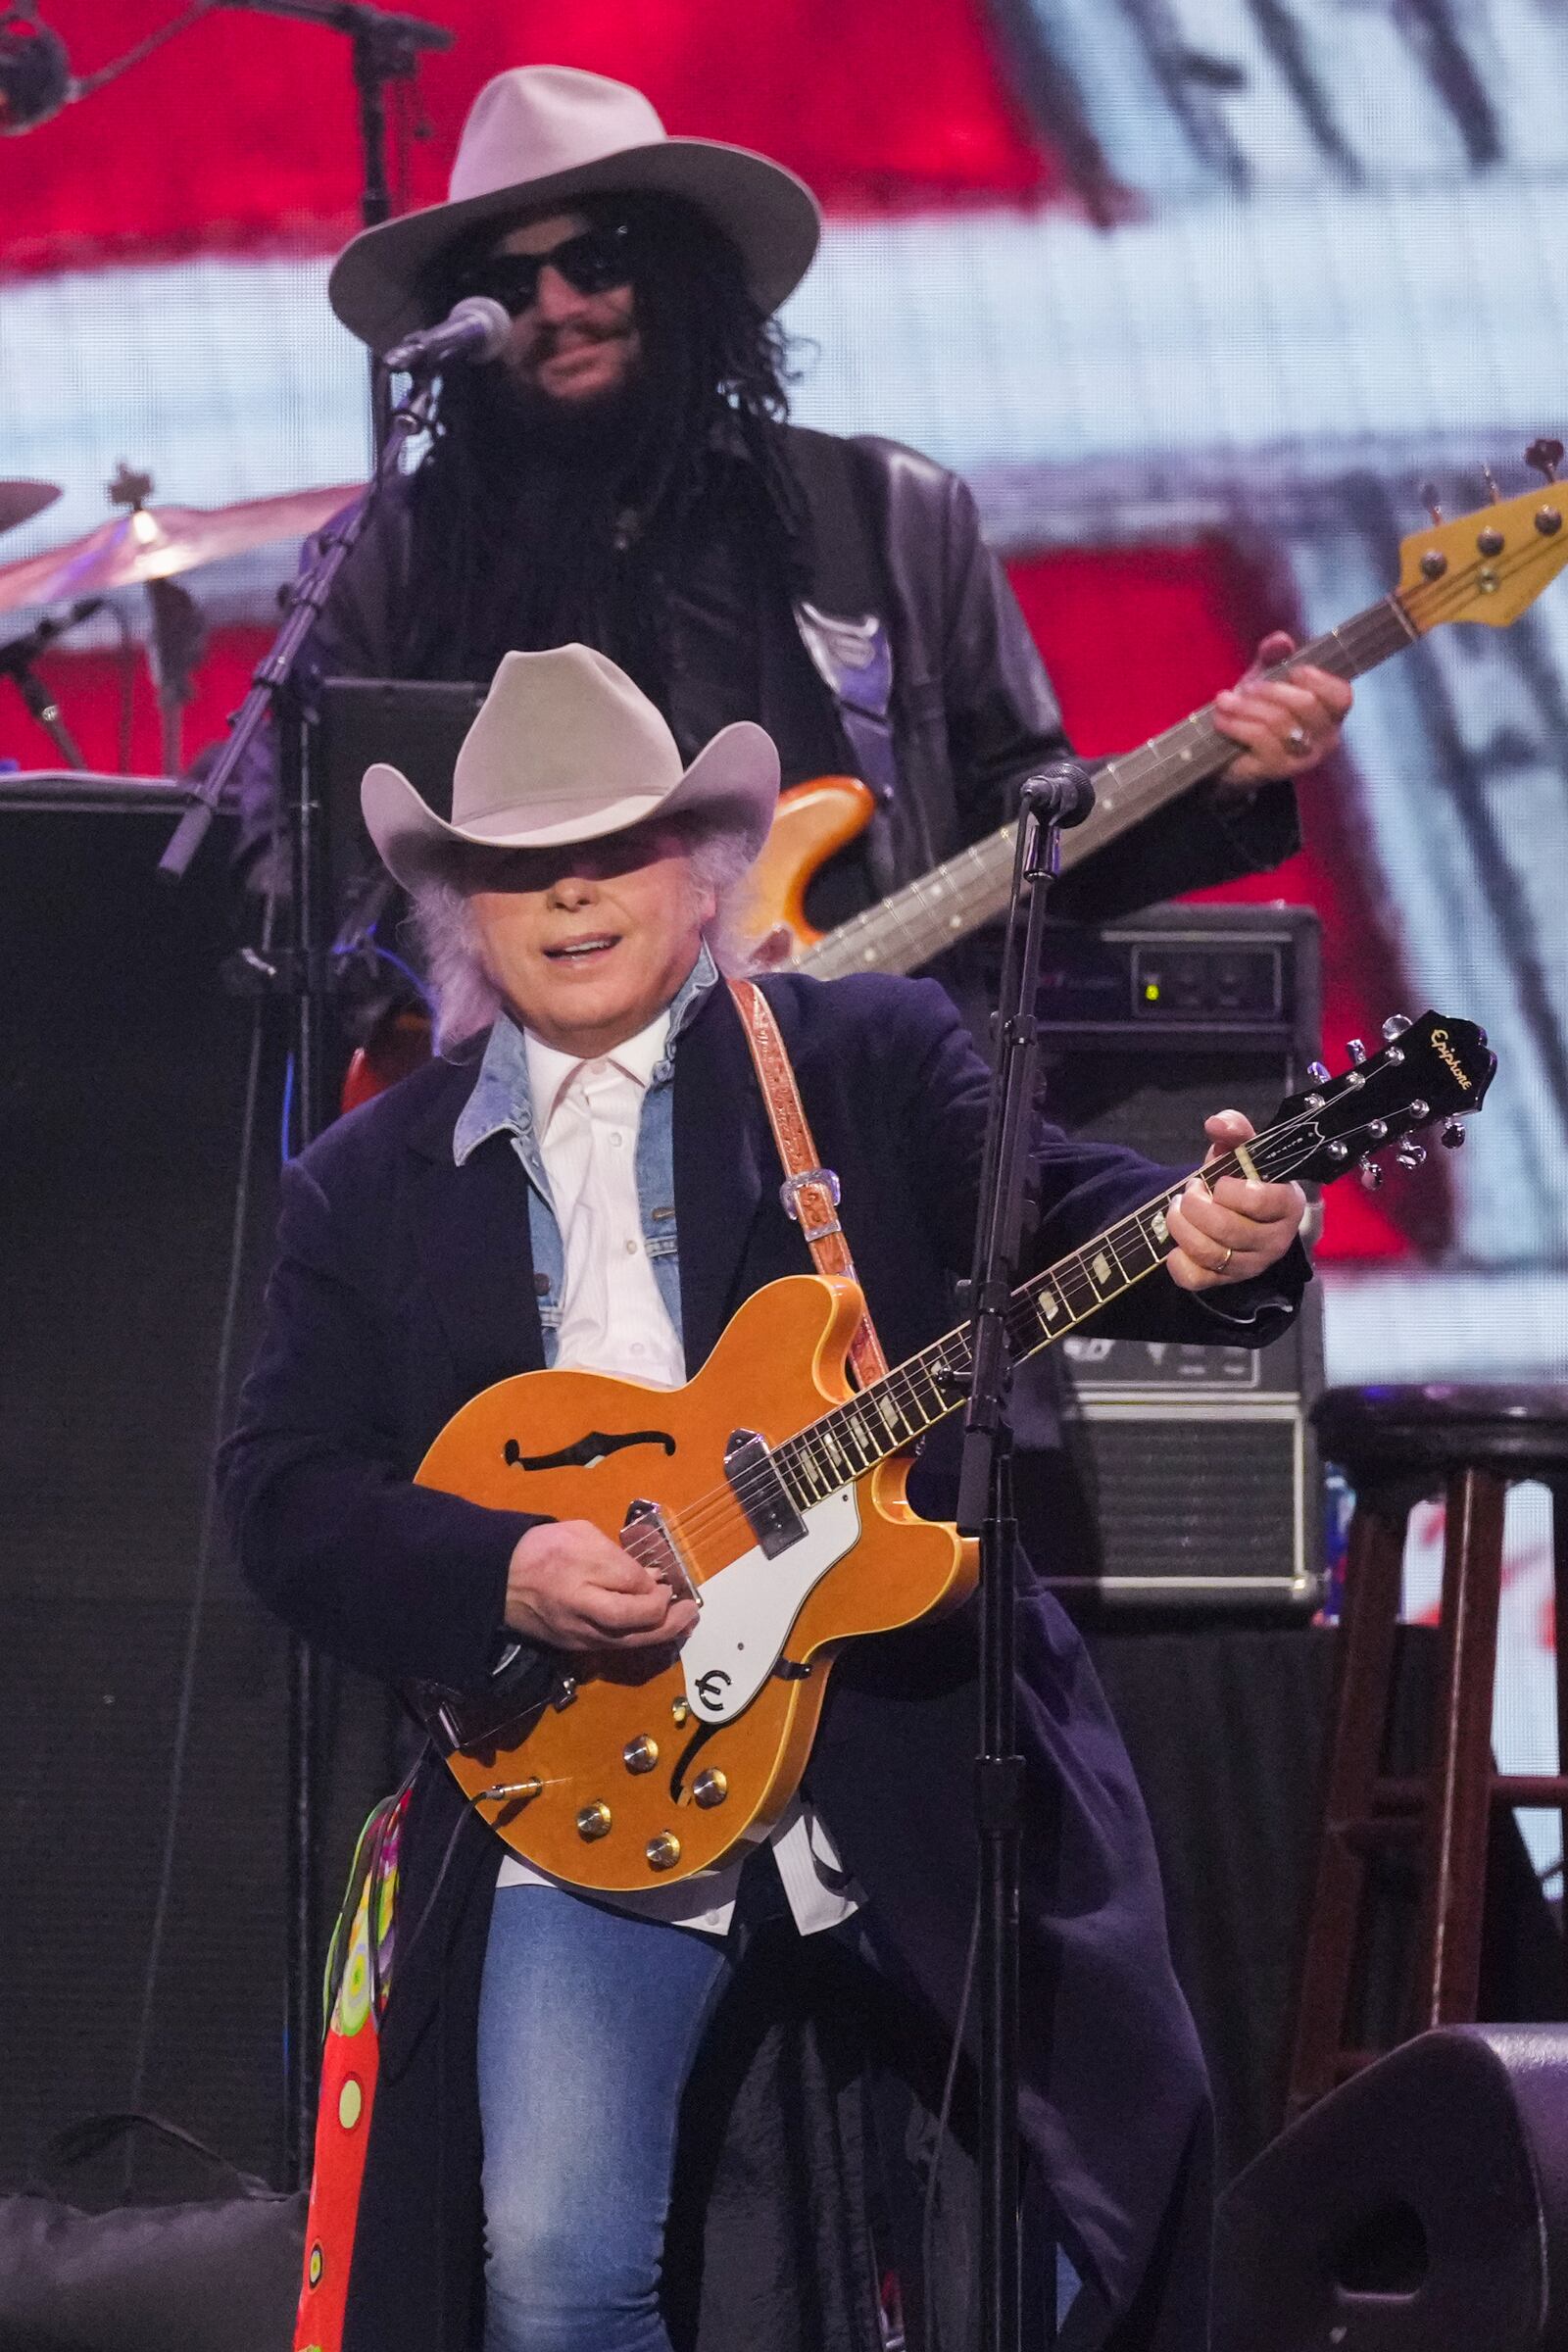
589 1180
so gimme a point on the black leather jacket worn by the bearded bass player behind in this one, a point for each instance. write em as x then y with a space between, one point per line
972 711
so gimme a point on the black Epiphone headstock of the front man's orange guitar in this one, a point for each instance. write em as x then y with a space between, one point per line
1430 1069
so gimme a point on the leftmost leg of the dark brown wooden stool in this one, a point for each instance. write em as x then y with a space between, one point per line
1365 1671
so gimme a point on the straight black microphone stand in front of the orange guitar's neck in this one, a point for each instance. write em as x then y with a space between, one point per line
1059 796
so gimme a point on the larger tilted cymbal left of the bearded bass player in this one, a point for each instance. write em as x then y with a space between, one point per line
156 542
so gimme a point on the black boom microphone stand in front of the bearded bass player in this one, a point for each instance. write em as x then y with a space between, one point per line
300 975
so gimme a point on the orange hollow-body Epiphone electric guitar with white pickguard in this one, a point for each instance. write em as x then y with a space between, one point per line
793 1532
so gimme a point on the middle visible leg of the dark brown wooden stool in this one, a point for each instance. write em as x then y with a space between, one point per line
1461 1770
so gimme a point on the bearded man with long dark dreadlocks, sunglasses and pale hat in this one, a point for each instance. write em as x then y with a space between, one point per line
624 476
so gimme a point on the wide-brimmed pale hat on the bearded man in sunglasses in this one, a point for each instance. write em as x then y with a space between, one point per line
549 135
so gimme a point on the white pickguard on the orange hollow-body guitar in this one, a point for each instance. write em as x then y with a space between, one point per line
751 1608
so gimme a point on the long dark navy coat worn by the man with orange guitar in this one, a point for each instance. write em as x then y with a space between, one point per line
406 1285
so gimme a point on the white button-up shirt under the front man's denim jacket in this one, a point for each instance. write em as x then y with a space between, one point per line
615 1321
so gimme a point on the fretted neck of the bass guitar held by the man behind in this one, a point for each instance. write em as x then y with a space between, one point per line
972 888
